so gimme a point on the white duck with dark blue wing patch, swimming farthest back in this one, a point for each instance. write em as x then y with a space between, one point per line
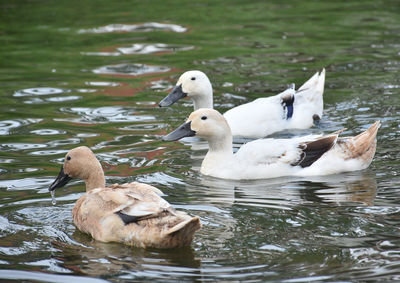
288 110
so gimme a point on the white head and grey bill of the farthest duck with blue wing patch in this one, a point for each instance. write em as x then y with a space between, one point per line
193 84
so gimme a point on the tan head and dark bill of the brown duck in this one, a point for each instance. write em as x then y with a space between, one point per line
80 163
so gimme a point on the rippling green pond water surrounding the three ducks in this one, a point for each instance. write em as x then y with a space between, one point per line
92 72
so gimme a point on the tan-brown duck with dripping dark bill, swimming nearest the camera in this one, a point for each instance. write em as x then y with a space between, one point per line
131 213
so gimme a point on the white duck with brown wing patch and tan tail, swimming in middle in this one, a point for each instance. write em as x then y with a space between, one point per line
268 158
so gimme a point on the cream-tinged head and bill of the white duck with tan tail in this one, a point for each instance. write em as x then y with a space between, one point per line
205 123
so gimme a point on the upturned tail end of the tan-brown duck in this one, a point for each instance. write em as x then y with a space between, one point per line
183 232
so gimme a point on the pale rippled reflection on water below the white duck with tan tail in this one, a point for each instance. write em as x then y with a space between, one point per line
283 193
